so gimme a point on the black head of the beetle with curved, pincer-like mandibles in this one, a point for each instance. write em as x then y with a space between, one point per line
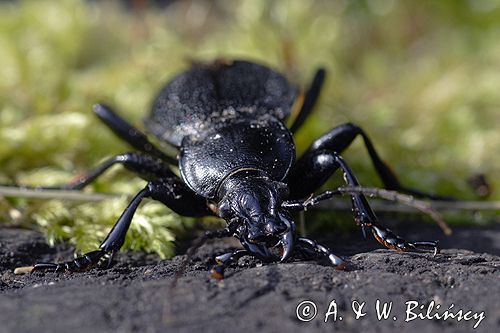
251 204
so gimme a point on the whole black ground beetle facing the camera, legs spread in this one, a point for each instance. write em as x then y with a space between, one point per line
237 161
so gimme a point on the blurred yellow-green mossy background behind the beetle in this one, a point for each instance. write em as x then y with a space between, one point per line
421 77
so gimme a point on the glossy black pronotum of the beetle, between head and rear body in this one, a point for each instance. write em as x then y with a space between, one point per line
263 143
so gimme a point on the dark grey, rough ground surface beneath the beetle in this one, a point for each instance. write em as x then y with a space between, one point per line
142 293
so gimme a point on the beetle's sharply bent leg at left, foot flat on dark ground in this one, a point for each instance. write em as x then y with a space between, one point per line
170 191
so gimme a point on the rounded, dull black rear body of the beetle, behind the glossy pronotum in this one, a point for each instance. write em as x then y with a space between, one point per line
194 99
